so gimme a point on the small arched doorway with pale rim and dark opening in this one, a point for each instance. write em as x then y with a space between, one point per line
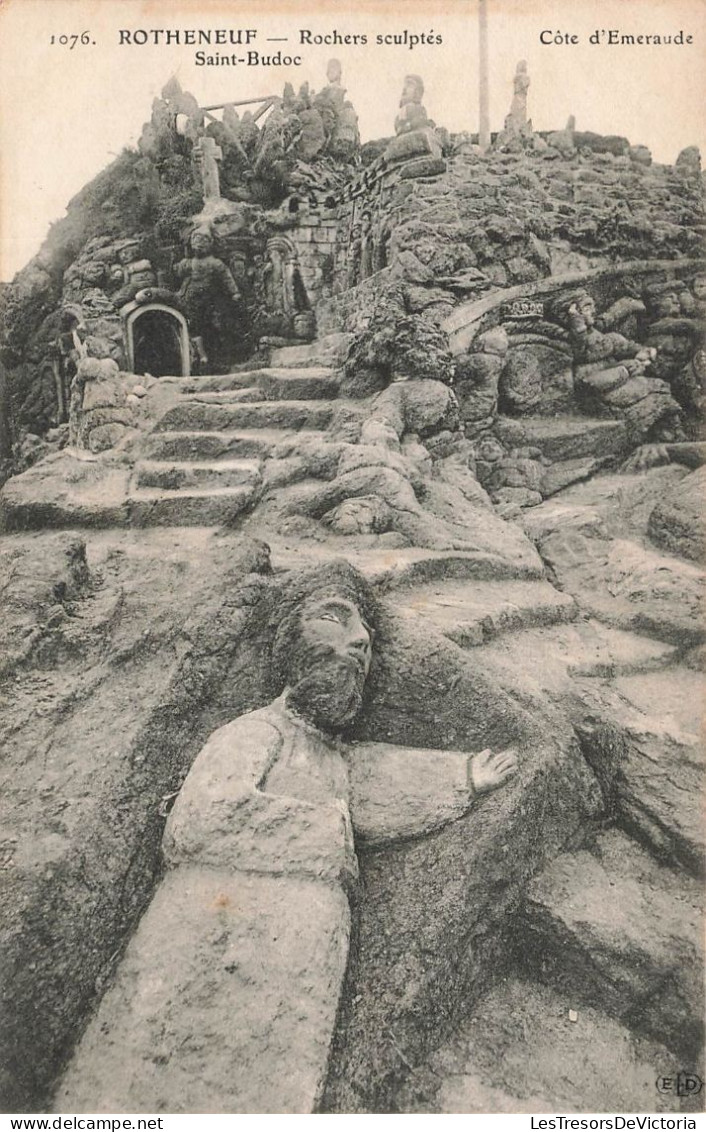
157 340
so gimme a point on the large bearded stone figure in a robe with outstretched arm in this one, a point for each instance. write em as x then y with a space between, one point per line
244 949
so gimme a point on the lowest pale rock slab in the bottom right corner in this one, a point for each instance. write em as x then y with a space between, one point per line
521 1052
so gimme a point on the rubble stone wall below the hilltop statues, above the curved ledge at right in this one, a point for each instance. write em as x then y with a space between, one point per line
477 224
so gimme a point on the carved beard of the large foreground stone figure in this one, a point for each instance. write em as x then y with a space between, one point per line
331 692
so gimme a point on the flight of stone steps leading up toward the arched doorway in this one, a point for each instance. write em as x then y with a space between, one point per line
203 464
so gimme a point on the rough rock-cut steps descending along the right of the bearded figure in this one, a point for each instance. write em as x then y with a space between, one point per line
602 991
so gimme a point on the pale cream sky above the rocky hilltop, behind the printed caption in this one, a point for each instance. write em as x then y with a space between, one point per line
66 113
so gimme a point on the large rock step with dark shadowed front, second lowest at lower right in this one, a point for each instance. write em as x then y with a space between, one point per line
613 928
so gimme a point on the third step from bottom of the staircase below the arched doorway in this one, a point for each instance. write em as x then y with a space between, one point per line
226 445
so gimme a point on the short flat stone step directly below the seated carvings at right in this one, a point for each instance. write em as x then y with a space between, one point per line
572 438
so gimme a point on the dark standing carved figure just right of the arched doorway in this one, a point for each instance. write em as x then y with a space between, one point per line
208 288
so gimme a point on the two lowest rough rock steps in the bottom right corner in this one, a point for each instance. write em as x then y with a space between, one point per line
605 990
